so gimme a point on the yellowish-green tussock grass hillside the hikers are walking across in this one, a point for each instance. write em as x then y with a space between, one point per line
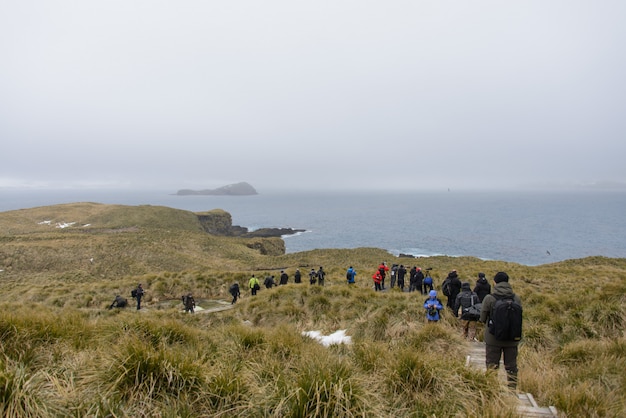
64 354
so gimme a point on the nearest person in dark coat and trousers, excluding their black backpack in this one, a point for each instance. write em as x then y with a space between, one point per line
495 348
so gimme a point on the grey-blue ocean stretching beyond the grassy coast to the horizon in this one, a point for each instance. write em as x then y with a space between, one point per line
530 228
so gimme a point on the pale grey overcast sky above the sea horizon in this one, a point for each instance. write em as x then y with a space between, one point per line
312 94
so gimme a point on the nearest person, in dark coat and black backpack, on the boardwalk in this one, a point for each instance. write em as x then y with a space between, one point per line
502 312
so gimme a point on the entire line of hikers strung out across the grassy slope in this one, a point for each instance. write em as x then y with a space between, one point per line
480 304
